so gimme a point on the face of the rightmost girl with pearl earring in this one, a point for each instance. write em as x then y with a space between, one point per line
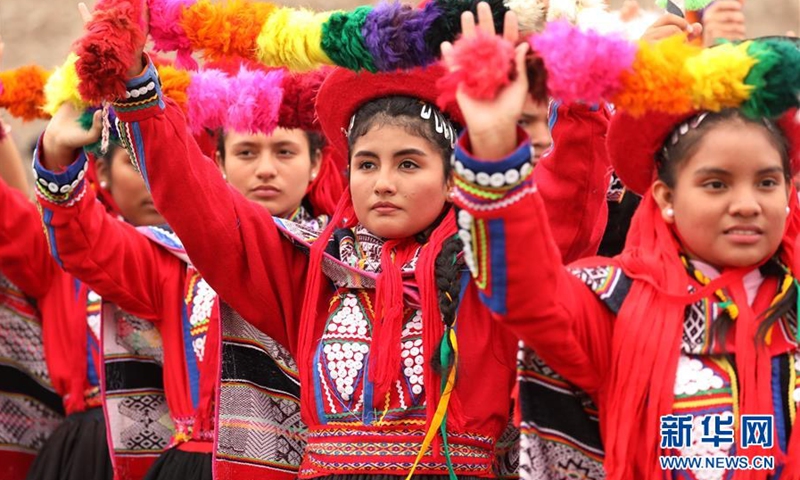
730 197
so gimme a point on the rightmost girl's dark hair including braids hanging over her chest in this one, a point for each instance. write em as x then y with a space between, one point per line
674 153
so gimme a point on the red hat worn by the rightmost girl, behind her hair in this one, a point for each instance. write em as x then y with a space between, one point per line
634 142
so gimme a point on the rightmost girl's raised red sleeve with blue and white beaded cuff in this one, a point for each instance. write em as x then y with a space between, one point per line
517 267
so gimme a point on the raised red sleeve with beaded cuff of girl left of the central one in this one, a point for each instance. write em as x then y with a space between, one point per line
108 255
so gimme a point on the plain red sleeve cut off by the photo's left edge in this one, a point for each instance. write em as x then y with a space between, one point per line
24 254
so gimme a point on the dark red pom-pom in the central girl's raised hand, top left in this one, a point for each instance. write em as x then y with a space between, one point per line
106 51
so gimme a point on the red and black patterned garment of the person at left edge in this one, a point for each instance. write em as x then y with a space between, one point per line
48 349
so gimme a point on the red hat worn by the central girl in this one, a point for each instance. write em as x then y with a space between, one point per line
345 91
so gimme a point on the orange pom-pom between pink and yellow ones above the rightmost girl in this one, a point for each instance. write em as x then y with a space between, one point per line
658 80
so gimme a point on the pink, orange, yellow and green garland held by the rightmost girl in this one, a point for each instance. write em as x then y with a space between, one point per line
672 76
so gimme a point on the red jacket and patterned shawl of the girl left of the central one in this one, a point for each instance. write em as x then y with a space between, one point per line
171 318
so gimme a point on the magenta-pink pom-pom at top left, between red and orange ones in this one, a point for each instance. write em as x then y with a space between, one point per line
167 33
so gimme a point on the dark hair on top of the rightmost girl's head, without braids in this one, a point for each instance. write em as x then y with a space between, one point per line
674 154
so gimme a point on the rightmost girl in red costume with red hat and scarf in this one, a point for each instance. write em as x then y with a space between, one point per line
697 316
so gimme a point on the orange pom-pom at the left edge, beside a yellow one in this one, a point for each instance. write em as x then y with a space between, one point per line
23 92
